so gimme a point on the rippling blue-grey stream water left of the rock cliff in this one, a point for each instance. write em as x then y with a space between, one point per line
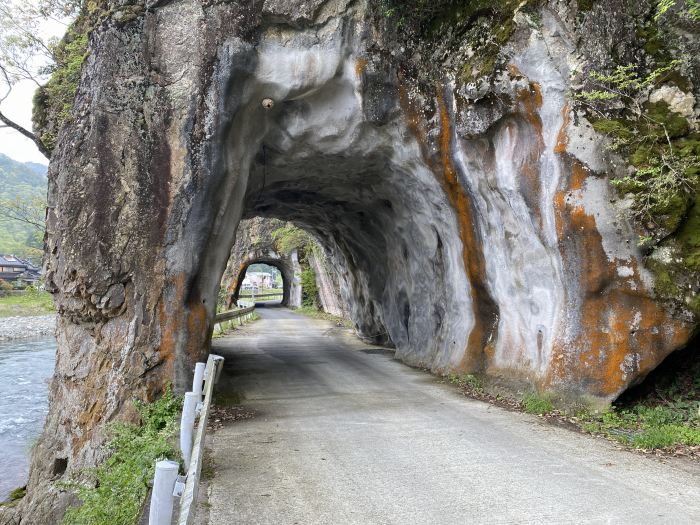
26 366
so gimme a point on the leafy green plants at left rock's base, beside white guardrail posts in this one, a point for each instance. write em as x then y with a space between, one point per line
119 487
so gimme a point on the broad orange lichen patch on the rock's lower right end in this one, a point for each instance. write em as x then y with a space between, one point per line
616 333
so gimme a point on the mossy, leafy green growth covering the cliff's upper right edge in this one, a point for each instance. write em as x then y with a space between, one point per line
646 109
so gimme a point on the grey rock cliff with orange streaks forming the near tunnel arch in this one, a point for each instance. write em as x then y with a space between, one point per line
472 226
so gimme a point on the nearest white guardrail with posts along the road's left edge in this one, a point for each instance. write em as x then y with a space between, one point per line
167 484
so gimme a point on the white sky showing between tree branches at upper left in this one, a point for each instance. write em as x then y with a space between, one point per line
18 107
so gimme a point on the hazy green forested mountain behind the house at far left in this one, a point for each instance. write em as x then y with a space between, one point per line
27 182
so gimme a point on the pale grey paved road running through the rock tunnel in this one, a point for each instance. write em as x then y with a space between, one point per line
345 434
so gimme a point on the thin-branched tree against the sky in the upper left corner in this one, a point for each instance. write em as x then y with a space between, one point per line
24 53
